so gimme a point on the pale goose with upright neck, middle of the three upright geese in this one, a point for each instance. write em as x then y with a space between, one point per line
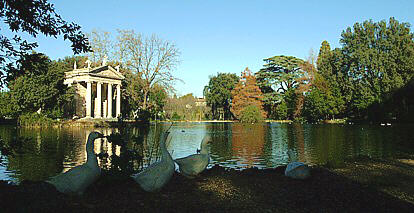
155 176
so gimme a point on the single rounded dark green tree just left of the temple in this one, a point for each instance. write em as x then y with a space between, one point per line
41 86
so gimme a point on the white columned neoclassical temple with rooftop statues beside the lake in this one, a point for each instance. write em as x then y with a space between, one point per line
98 90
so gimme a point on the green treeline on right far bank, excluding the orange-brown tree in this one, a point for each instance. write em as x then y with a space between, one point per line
368 78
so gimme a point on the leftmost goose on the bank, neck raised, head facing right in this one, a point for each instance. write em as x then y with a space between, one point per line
77 179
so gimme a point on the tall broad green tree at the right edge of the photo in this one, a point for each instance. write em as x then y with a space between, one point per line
377 59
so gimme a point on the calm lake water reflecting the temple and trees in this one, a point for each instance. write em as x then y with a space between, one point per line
41 153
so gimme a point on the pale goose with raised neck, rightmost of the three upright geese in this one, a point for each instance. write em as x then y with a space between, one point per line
193 165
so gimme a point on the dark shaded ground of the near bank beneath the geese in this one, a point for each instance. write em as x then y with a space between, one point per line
363 186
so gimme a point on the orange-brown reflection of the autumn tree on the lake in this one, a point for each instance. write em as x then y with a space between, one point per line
248 142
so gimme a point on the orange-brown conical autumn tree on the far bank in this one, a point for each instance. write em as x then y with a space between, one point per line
246 93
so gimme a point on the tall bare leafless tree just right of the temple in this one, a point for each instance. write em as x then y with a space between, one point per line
151 58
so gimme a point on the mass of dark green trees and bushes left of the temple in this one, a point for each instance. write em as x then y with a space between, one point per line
36 84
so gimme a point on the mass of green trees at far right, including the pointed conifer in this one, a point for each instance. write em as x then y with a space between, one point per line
375 61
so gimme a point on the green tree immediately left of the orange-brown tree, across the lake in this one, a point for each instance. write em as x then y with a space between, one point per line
218 93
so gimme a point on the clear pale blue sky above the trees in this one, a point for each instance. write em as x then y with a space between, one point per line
226 36
